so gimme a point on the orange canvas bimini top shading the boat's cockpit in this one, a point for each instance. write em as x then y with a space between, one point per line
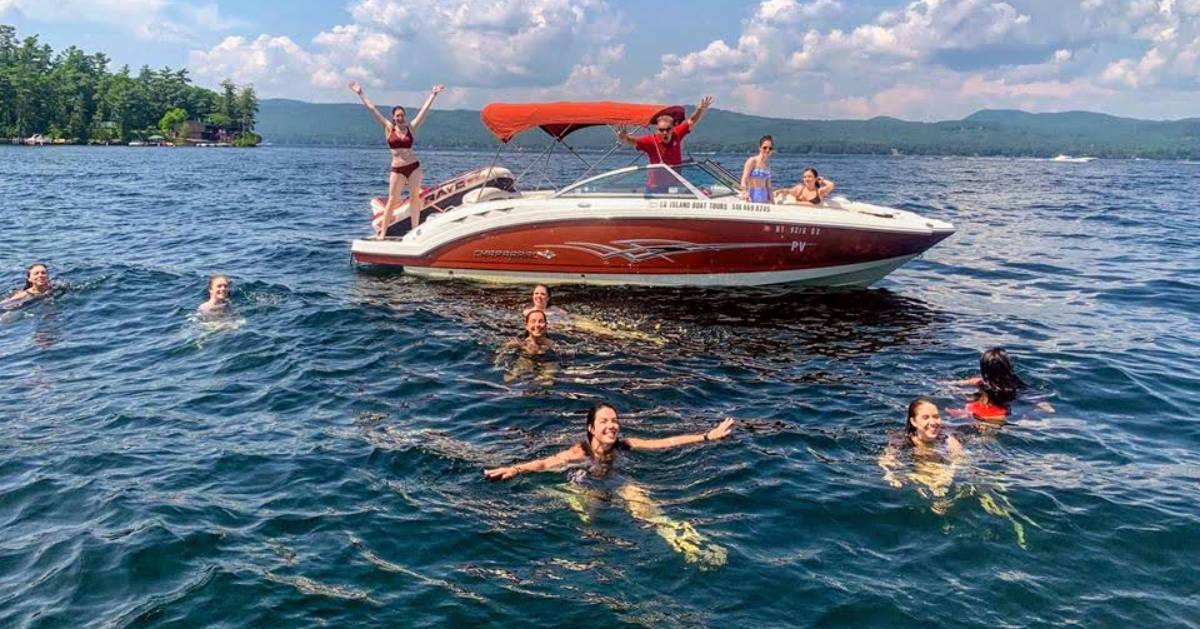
560 119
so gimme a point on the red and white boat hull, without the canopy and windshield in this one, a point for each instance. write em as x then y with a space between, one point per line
670 244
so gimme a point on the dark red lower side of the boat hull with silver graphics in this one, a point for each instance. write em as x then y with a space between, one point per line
664 247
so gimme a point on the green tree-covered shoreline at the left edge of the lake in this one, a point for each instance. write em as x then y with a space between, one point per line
74 97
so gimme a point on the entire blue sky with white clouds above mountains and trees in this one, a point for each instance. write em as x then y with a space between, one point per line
917 59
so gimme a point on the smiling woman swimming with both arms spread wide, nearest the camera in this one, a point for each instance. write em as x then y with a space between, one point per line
593 460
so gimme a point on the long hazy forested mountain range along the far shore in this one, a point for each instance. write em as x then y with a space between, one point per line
999 133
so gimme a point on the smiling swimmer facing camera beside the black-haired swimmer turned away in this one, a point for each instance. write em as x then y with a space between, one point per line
935 454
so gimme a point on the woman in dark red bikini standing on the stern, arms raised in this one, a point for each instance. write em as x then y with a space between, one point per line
406 169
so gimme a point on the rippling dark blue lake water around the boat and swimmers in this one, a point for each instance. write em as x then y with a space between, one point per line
319 462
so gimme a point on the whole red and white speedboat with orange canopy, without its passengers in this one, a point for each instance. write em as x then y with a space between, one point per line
650 225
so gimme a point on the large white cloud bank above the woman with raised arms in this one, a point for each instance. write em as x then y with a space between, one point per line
406 45
